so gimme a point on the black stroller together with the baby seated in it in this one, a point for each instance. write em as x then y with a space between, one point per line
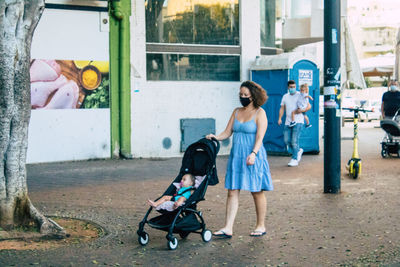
182 217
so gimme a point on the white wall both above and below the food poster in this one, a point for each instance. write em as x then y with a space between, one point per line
62 135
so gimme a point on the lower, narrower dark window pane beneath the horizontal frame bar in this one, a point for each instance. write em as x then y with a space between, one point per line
178 67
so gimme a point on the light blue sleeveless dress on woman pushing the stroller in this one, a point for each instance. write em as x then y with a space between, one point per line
239 175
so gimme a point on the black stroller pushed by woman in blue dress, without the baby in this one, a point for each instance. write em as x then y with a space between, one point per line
199 159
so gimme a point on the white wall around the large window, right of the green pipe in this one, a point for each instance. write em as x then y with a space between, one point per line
157 107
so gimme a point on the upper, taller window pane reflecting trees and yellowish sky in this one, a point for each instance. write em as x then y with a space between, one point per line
212 22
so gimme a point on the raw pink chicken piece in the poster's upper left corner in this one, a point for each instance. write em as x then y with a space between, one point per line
44 70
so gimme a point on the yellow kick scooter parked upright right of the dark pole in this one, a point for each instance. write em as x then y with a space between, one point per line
354 164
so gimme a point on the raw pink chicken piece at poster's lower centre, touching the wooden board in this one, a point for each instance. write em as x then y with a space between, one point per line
65 97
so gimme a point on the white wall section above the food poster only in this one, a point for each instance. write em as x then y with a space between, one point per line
70 34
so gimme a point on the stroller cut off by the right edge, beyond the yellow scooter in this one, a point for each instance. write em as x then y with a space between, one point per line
391 141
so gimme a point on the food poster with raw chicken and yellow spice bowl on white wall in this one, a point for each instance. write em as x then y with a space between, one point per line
69 84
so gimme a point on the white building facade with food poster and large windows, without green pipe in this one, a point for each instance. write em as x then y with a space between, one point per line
187 60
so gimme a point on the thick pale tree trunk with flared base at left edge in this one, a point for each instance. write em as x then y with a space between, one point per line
18 20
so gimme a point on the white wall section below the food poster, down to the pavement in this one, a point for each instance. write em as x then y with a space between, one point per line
68 134
